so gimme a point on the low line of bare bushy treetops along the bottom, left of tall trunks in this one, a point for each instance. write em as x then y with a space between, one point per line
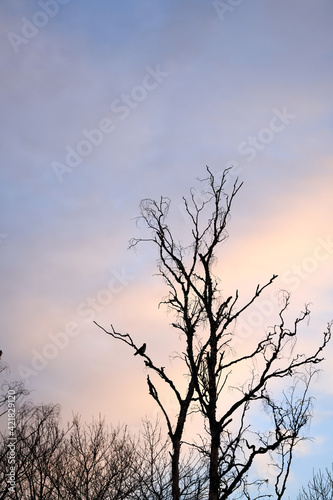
90 461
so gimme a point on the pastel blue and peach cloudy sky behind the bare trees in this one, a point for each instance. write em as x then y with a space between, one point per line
106 103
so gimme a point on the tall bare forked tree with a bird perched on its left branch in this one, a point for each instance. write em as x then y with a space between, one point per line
207 322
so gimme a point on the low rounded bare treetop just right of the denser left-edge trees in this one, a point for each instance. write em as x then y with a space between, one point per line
98 462
